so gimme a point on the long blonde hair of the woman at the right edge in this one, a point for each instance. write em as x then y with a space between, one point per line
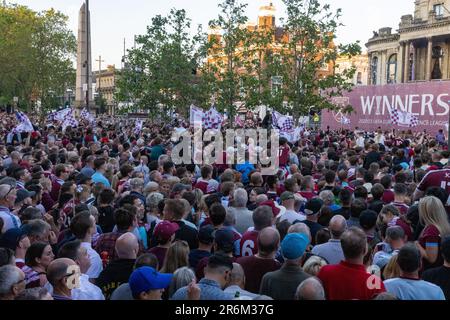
432 212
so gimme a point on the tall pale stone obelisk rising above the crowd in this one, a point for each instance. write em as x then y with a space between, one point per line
83 95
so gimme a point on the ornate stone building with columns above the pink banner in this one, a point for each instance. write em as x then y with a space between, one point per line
419 51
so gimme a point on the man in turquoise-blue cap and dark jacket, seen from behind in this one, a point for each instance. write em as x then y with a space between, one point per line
282 284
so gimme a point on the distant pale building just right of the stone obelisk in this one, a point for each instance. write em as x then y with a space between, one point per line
105 86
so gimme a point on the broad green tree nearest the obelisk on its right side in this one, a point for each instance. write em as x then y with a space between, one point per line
161 72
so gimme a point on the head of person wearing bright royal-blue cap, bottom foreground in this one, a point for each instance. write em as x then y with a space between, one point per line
148 284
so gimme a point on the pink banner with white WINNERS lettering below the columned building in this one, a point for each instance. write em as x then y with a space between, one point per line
429 101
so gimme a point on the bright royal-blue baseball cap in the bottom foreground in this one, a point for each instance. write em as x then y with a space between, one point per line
144 279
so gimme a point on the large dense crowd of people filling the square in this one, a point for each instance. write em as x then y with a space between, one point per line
104 213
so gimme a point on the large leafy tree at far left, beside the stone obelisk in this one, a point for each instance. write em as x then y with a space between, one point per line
36 56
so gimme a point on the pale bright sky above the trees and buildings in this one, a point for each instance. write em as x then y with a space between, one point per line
112 21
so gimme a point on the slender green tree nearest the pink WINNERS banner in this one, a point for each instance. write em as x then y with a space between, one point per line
312 29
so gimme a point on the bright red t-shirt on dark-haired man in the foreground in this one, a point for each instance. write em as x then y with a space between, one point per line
345 281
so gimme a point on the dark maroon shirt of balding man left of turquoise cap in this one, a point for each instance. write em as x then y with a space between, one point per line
254 269
